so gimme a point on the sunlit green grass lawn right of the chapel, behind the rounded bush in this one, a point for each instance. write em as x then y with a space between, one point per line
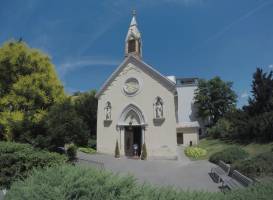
214 145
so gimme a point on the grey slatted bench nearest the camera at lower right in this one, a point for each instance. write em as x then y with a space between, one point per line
237 180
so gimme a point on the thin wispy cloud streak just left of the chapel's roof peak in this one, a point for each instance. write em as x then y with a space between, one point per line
74 64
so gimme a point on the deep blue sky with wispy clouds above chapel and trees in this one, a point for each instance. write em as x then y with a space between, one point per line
184 38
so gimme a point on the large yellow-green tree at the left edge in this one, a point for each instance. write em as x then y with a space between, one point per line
29 86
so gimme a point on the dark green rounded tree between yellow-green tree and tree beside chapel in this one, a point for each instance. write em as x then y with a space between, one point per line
64 125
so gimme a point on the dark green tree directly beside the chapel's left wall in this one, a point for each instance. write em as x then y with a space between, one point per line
86 106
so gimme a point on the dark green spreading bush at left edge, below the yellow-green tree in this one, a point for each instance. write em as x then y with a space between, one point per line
17 160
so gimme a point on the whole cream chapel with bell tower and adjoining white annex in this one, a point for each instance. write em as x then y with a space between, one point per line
137 104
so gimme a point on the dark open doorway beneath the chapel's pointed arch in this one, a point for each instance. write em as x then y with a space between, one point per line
132 141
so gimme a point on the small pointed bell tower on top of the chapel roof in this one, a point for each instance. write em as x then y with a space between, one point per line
133 44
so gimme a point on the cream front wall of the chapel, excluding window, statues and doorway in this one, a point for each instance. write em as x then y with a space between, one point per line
160 139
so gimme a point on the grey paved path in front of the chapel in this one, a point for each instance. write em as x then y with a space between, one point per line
192 175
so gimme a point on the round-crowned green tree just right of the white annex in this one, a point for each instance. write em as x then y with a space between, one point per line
214 98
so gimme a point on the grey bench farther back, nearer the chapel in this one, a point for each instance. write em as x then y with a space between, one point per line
221 171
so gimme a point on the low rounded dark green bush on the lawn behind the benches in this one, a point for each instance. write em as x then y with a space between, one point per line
229 155
